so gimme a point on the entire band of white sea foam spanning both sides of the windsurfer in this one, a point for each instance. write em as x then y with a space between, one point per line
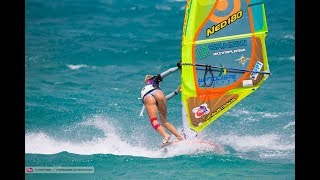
113 142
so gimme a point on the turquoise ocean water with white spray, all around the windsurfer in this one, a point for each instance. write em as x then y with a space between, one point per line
84 65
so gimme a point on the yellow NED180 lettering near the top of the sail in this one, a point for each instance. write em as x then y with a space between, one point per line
215 28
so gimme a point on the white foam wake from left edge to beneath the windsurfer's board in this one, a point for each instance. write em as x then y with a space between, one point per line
112 143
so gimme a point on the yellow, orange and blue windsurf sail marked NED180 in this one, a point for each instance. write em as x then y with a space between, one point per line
224 56
